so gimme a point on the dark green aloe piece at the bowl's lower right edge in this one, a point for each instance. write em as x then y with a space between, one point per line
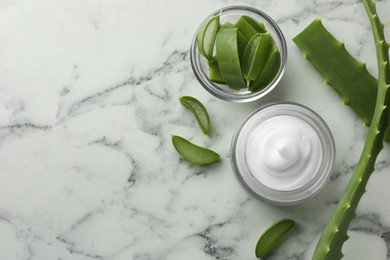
272 66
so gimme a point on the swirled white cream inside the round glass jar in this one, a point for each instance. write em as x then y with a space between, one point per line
284 153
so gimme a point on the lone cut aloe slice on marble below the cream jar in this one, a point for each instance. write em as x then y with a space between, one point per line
278 240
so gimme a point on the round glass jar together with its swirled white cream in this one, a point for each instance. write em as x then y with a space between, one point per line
283 153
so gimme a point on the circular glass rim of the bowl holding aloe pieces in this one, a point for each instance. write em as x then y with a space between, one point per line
212 87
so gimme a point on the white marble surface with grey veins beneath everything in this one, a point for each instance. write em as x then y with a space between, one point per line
88 100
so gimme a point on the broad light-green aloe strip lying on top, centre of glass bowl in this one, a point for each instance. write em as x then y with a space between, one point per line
228 58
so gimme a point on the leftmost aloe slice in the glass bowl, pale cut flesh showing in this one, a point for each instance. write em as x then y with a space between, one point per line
206 36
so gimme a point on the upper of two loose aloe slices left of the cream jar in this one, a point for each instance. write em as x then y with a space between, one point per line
199 111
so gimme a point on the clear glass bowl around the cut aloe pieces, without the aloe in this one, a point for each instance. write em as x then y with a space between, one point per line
201 69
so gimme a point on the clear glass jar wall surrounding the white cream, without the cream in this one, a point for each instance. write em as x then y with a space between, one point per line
252 184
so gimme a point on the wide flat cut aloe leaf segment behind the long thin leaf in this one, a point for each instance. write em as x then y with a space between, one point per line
347 76
